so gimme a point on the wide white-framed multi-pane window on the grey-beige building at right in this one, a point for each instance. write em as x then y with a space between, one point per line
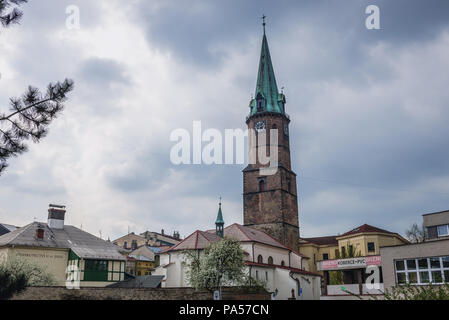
433 270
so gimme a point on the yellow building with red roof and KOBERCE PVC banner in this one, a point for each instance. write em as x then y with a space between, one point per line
347 261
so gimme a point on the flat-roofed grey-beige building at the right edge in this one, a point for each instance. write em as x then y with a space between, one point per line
420 263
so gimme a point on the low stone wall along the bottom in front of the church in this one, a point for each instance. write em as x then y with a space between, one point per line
61 293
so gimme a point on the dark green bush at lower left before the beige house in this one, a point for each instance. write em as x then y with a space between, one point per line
16 275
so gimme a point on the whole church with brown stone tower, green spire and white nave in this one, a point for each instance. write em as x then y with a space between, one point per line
270 234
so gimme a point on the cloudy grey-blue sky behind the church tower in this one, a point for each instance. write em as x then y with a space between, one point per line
369 110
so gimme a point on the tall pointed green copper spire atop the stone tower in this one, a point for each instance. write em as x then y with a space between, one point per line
267 97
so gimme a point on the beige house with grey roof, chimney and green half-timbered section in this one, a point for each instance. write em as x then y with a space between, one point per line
55 246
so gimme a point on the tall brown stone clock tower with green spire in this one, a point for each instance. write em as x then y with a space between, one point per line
270 201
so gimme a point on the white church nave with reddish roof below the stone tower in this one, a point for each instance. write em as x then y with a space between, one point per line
282 268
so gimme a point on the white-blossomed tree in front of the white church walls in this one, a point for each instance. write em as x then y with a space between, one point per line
221 264
